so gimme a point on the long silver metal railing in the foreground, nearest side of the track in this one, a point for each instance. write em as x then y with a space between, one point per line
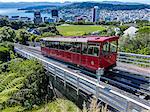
116 100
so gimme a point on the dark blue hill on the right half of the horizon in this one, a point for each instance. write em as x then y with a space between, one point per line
107 6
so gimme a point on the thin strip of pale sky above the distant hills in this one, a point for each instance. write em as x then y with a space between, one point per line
140 1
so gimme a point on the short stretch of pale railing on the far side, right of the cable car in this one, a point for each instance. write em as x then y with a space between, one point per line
138 59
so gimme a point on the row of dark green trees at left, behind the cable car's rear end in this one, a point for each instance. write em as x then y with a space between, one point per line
22 35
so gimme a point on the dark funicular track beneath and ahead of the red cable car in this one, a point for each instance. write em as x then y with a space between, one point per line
132 83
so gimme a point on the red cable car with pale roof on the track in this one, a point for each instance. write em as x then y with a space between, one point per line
90 52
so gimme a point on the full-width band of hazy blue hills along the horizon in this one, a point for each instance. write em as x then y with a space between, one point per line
108 5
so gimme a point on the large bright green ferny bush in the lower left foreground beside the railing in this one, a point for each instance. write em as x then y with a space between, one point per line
22 84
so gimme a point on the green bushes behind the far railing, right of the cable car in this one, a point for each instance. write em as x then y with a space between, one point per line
139 44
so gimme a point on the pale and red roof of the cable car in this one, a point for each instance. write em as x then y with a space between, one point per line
83 39
